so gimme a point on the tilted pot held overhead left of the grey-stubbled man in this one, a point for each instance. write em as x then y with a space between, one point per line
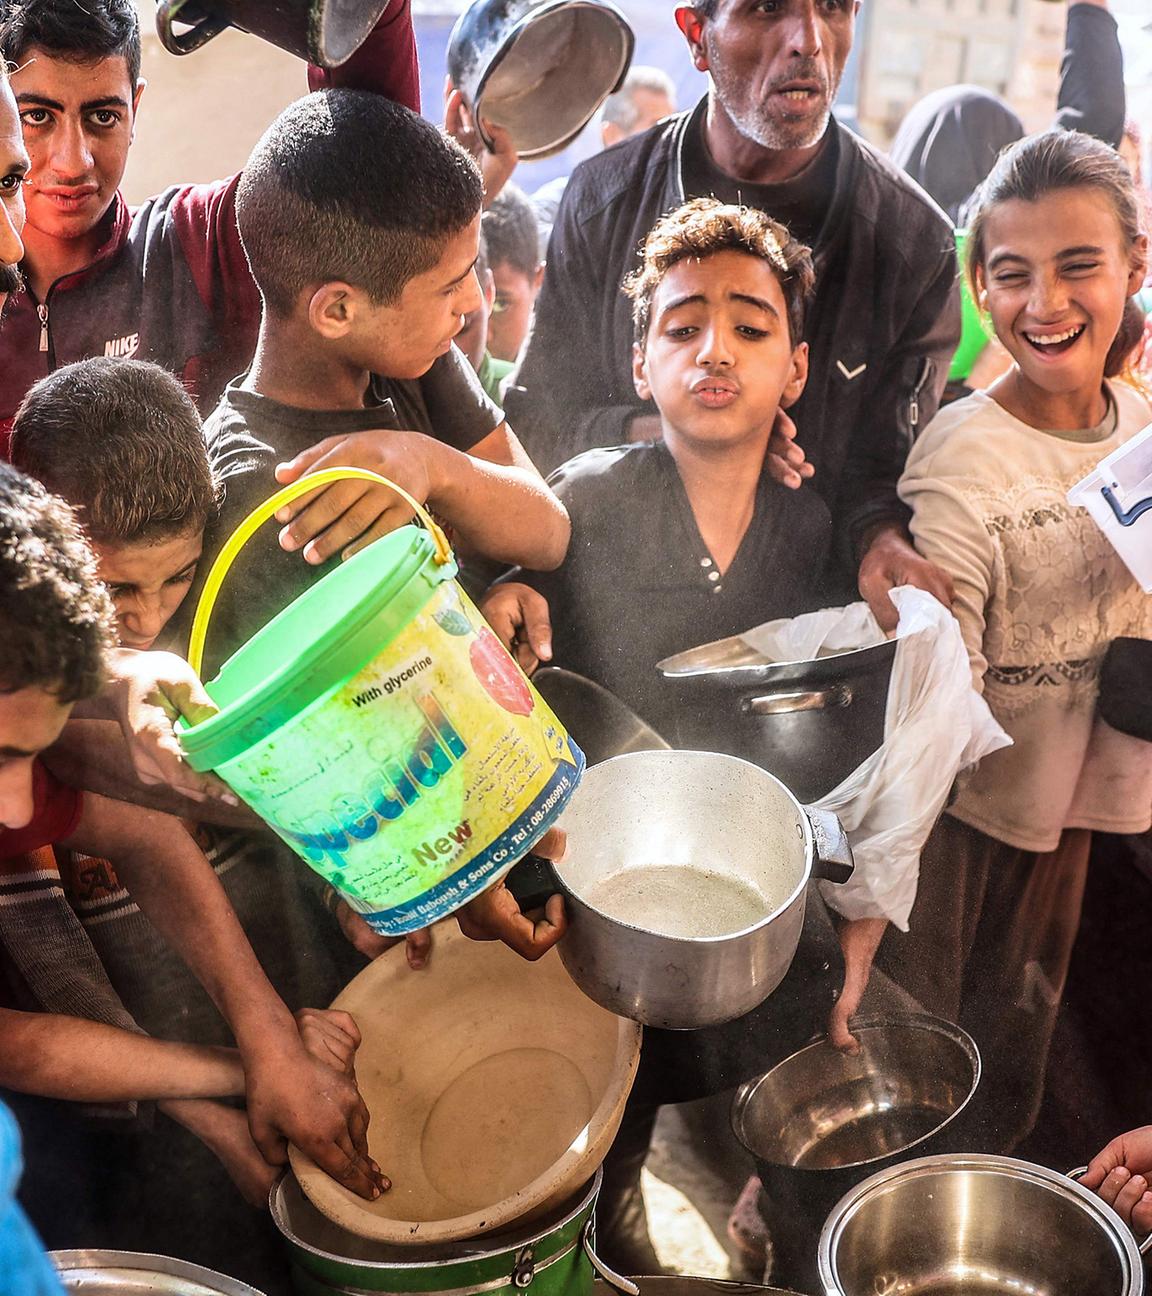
538 68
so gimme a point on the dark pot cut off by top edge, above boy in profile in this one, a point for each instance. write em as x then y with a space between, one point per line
326 33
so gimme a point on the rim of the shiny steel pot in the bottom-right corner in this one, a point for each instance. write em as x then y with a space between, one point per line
948 1162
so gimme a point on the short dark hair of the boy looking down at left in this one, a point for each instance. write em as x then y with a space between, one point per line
122 443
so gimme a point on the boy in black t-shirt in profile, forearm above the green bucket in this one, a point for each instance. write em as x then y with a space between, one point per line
362 224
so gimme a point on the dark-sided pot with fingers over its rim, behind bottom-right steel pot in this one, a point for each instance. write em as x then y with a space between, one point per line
821 1122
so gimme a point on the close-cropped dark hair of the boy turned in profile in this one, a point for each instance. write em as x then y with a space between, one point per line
349 186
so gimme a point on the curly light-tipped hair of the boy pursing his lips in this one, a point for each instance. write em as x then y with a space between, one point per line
706 227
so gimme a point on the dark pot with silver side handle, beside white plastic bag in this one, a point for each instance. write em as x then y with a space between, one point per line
808 723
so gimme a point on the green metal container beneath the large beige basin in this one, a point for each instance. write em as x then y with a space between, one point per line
554 1256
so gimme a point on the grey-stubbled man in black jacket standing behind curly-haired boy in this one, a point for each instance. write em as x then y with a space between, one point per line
884 321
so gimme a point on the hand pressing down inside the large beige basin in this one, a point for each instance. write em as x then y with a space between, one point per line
296 1098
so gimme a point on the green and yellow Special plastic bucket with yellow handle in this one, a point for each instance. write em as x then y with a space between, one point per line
380 728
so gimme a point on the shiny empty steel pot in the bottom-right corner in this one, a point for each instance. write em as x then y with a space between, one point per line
992 1225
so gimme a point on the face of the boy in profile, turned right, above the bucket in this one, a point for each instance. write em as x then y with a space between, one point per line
404 340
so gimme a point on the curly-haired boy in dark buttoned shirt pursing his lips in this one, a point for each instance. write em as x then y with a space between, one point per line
686 540
